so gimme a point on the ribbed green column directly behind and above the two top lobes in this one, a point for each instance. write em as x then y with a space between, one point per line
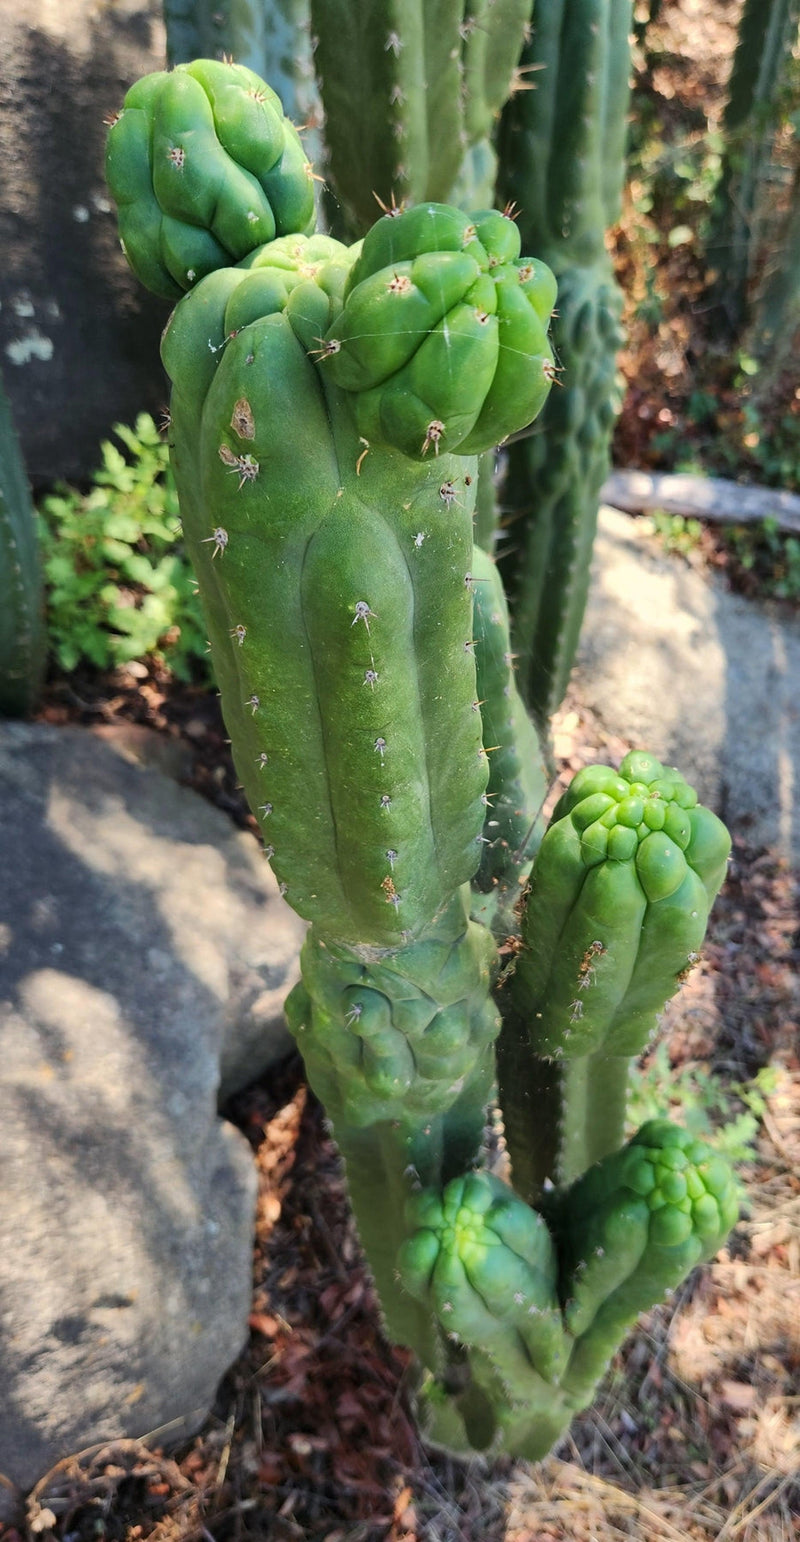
408 89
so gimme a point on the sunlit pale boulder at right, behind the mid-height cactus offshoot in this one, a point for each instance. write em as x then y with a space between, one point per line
708 681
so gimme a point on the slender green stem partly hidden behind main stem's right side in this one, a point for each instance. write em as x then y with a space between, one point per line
517 772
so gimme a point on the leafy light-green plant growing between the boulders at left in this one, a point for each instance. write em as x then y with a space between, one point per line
118 584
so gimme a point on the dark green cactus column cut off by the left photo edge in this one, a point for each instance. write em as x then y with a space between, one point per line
22 625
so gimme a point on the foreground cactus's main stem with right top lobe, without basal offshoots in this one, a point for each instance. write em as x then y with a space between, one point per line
338 593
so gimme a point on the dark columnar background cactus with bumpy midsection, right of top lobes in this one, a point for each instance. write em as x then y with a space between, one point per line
562 152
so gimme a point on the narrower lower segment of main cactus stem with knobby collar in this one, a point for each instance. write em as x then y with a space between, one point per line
400 1051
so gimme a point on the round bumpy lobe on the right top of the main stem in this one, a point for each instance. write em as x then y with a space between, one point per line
443 338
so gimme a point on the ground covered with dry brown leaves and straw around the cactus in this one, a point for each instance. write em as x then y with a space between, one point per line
696 1433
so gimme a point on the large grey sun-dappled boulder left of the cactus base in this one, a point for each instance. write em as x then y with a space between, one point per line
132 917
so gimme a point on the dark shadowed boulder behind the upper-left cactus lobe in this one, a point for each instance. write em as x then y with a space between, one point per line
79 337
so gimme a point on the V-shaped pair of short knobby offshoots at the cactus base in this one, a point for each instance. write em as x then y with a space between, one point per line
542 1308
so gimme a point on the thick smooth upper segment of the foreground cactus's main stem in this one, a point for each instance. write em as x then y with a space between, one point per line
352 721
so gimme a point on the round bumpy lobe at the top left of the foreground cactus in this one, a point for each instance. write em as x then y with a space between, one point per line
204 169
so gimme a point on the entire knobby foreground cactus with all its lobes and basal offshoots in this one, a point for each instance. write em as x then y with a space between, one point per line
329 409
